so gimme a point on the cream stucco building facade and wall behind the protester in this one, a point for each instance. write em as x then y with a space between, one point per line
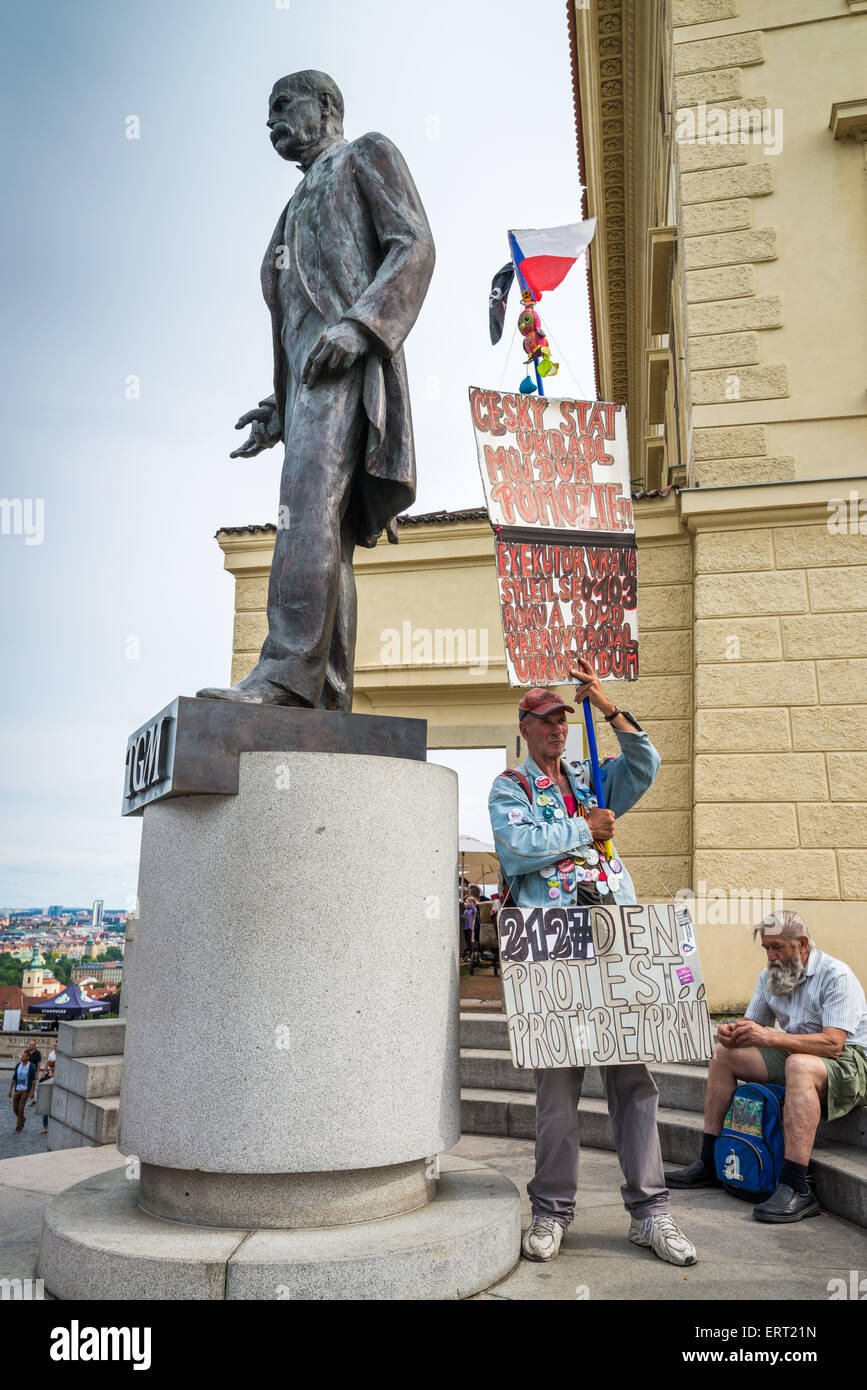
723 148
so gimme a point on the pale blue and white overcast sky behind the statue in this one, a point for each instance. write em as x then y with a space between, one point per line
140 259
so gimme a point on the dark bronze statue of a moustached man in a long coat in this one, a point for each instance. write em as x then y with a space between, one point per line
345 277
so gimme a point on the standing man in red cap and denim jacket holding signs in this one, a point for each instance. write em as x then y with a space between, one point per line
530 836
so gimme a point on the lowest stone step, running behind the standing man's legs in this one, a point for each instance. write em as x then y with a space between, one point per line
840 1170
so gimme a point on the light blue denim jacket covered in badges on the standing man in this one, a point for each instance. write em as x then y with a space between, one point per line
527 843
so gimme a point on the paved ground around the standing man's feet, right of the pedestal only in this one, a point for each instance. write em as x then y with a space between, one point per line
740 1260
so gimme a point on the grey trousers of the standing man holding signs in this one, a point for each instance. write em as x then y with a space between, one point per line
633 1100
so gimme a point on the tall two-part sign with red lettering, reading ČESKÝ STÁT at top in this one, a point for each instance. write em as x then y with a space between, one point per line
556 477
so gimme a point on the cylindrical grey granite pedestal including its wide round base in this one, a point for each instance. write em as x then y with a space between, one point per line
292 1050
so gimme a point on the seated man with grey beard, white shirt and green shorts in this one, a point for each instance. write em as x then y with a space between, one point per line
816 1046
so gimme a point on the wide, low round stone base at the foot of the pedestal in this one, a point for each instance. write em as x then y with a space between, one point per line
98 1243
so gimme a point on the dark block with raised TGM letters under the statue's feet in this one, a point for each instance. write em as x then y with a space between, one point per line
192 747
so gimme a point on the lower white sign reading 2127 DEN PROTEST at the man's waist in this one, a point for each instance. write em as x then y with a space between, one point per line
604 986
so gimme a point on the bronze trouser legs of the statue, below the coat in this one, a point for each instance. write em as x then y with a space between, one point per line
312 600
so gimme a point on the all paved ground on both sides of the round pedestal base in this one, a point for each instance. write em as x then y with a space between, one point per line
740 1260
